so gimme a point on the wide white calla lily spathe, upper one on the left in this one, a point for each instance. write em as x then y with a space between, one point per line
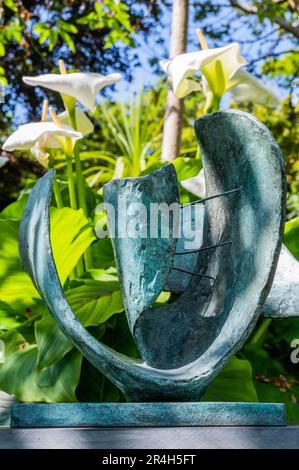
82 86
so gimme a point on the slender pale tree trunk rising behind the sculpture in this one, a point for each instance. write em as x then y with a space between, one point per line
174 109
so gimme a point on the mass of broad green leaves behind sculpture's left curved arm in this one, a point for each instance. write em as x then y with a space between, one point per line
44 364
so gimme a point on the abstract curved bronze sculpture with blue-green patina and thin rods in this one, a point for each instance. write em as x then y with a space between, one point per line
221 286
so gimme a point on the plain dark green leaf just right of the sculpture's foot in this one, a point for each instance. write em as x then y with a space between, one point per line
234 383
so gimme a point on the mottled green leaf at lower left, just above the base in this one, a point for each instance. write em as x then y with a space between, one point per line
18 374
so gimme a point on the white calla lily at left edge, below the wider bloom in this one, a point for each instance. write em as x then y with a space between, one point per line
39 136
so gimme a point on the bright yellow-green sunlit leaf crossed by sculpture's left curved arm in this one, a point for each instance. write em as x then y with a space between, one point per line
71 235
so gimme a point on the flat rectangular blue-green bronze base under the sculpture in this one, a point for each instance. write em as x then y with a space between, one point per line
147 414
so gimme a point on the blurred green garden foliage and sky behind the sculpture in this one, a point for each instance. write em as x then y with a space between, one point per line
103 36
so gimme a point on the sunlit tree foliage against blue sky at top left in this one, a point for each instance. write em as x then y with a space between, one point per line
97 35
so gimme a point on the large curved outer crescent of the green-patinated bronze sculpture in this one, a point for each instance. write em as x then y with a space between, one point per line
205 326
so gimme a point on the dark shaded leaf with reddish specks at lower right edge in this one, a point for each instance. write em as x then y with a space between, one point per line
269 378
